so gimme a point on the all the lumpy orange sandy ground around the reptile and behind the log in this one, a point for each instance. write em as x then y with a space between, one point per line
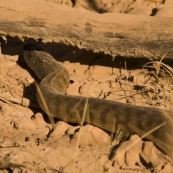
29 145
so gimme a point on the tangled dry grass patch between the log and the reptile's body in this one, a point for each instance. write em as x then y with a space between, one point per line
156 90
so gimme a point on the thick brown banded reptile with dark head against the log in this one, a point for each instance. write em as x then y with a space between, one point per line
112 116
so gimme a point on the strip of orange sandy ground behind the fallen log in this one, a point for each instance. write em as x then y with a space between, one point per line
138 7
